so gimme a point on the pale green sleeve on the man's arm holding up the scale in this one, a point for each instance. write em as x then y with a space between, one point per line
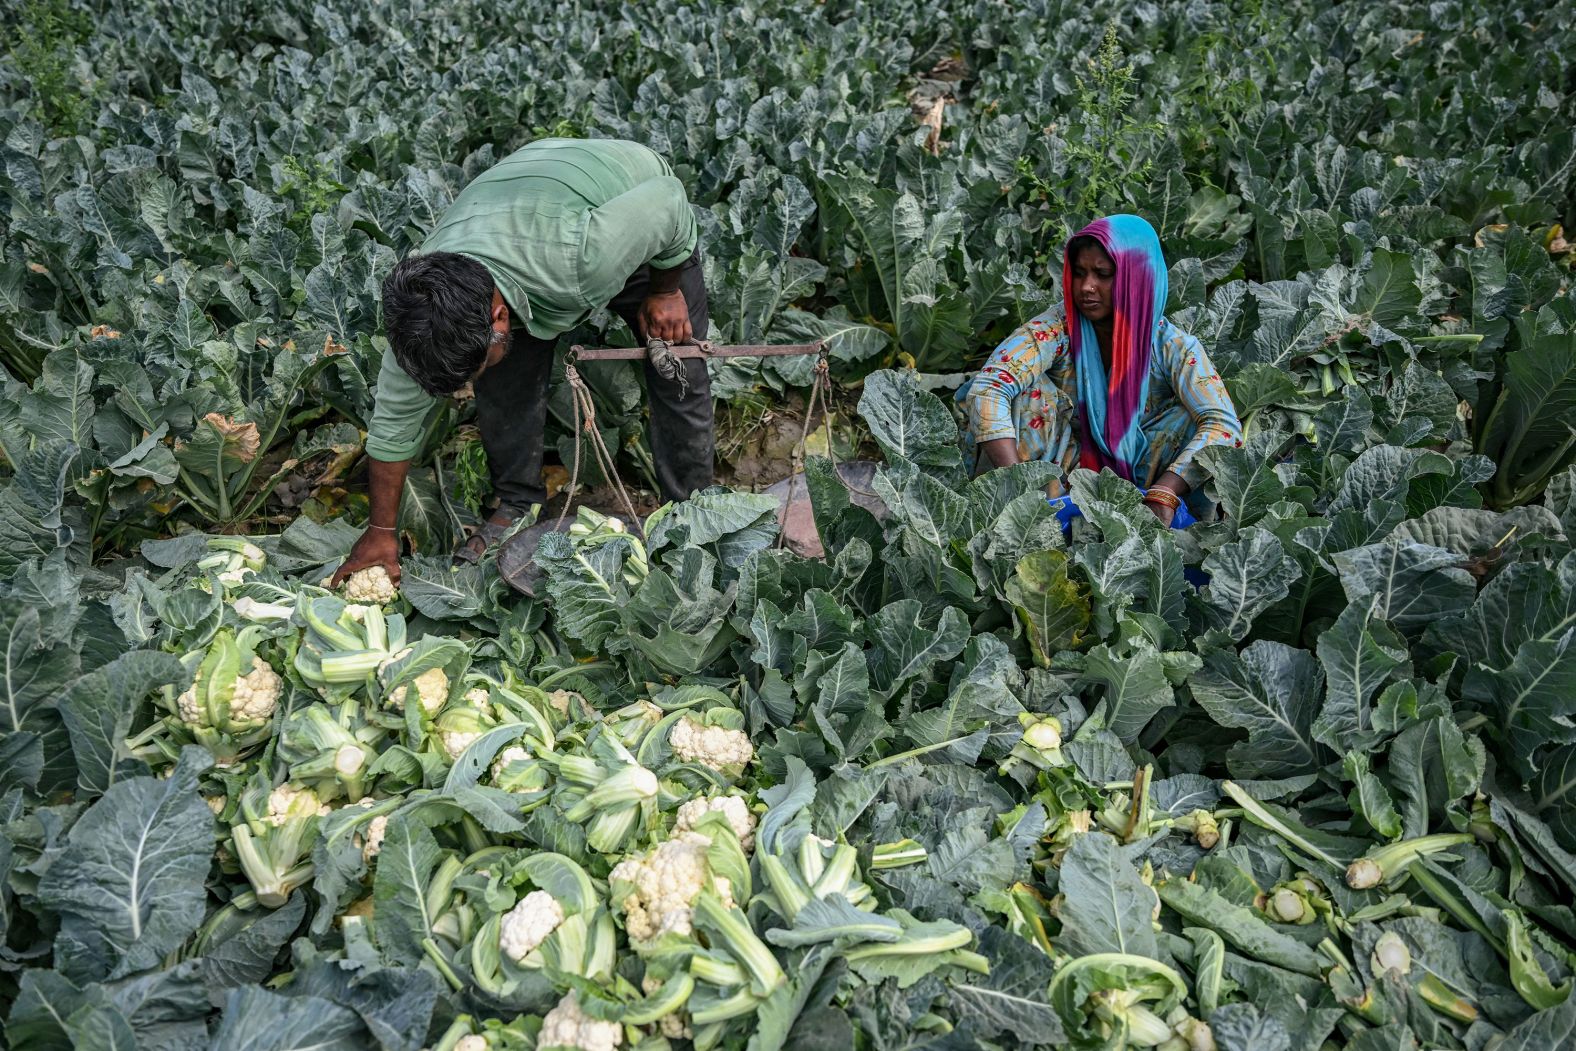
652 225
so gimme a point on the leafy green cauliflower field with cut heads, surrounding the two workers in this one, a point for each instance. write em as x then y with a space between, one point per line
964 784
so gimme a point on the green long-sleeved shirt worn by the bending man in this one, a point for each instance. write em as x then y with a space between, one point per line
560 225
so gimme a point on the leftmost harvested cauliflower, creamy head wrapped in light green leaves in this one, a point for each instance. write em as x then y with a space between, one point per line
231 704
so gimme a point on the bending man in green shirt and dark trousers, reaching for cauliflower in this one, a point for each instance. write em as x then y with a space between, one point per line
527 251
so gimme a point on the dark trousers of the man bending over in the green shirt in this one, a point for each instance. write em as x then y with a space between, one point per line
511 406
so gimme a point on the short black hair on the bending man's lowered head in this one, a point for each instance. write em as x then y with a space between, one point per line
439 313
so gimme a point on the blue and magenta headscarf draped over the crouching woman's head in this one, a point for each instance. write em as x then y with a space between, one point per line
1112 407
